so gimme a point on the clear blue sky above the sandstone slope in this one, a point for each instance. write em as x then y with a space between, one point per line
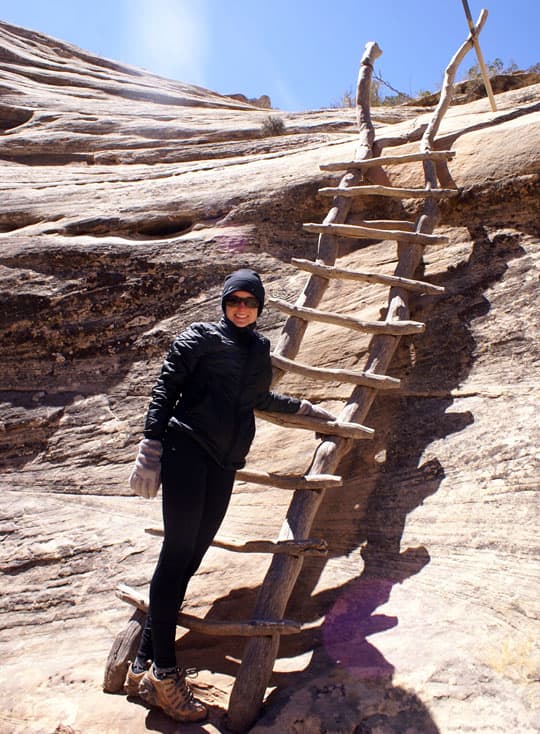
303 53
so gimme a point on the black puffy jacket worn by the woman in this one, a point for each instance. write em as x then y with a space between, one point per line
212 379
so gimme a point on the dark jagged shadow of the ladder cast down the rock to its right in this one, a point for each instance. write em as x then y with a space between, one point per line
385 483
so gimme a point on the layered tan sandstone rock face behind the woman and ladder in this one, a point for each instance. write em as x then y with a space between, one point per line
125 200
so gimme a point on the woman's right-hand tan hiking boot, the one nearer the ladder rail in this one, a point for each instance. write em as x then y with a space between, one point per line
172 695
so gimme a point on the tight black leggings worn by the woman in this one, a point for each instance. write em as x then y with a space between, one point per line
196 492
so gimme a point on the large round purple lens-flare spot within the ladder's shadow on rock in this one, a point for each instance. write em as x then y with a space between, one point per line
351 620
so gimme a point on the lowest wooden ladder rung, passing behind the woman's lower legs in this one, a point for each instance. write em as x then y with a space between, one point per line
249 628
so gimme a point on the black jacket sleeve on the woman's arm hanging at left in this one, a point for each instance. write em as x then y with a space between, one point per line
179 363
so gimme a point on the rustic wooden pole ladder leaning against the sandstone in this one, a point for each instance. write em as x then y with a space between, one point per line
362 176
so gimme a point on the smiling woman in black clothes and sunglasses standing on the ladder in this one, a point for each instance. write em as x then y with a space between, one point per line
198 431
